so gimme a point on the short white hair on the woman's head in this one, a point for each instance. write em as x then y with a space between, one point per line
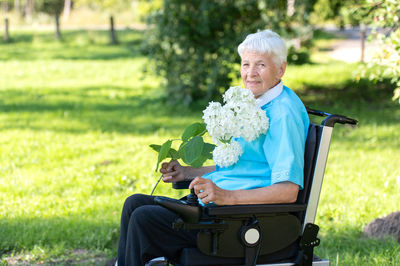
265 41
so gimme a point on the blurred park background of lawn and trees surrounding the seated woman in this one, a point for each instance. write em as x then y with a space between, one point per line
87 85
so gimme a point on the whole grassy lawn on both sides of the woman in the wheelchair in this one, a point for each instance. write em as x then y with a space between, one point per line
76 119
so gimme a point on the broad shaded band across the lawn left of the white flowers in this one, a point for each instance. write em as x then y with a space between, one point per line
80 111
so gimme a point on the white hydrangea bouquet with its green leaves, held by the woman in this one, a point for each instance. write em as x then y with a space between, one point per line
238 117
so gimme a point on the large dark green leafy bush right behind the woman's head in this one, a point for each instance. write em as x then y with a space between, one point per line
193 43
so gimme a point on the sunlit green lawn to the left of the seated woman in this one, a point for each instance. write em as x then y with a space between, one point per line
74 143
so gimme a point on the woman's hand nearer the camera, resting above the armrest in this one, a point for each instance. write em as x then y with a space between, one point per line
208 192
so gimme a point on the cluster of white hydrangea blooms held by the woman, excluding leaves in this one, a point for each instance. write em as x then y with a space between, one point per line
239 117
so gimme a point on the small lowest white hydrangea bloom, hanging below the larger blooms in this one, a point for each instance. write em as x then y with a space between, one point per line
227 154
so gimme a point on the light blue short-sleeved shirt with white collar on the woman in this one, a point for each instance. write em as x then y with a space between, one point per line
276 156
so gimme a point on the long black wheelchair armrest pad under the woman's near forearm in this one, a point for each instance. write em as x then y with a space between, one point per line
254 209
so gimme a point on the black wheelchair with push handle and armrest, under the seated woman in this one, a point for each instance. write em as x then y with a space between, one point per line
308 236
